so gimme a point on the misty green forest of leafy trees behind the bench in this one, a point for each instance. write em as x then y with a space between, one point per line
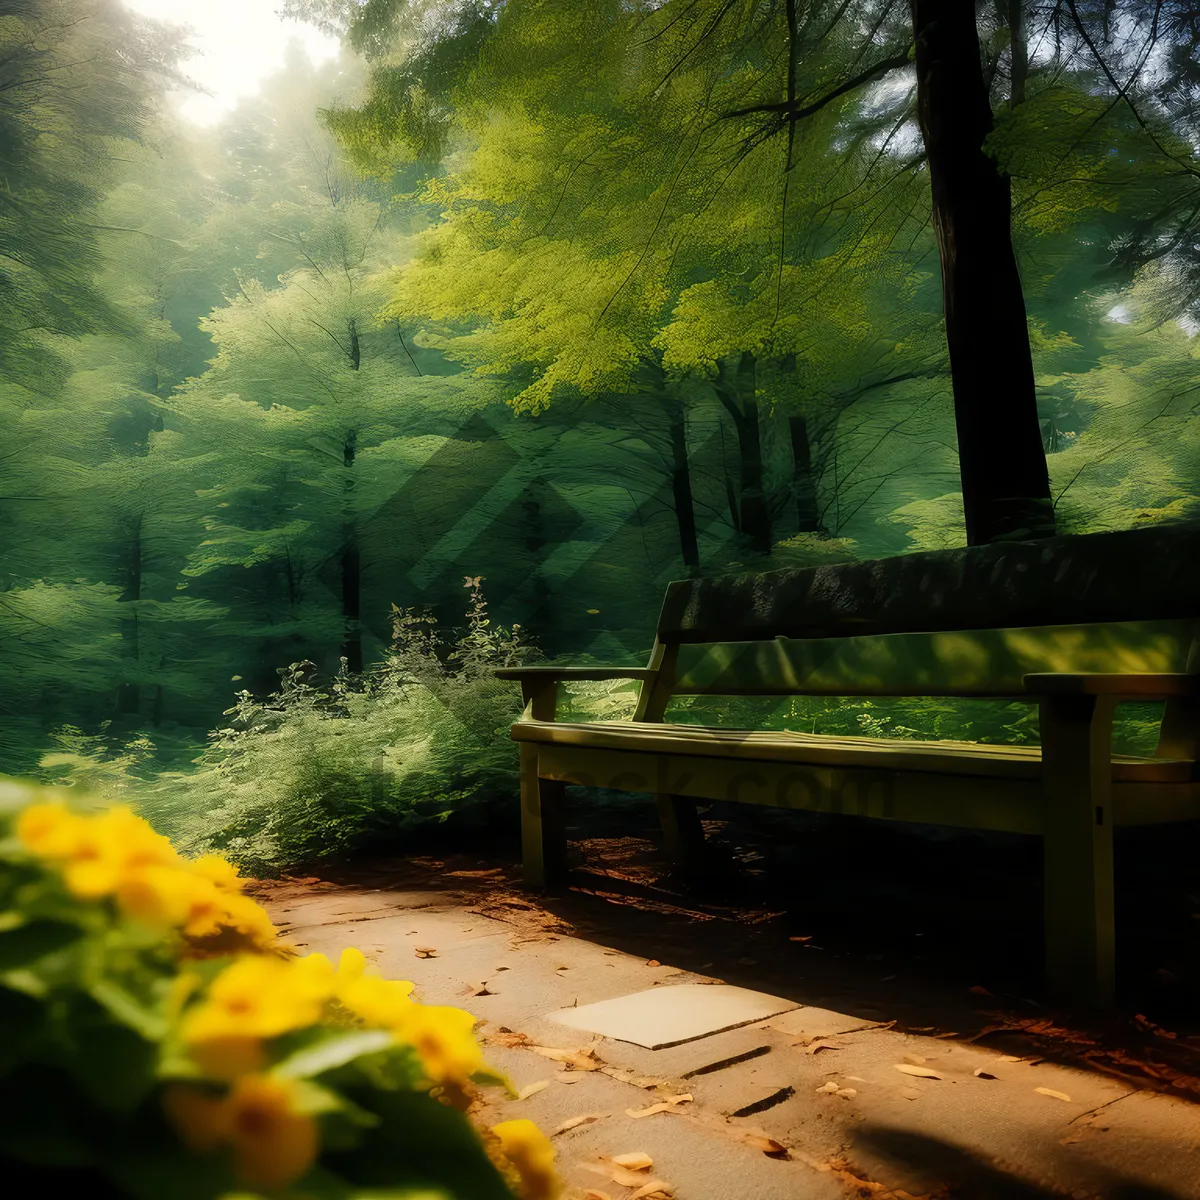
548 304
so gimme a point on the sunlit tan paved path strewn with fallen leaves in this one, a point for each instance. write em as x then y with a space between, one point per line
850 1095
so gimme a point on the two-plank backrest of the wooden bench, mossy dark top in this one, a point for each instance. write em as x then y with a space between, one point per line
964 622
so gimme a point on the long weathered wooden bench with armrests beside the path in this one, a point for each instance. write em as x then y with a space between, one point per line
1073 625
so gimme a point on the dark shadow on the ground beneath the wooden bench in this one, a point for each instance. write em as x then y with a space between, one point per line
937 932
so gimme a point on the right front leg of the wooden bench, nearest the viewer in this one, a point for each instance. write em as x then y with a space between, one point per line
1077 737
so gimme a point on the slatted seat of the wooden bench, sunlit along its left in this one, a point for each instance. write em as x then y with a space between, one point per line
891 754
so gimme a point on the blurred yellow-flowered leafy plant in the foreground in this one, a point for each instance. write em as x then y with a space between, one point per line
160 1043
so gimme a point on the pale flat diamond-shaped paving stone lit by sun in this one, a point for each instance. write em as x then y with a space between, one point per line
673 1016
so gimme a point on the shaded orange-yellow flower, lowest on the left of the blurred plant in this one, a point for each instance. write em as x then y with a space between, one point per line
273 1143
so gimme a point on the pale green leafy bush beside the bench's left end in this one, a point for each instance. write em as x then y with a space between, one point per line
319 770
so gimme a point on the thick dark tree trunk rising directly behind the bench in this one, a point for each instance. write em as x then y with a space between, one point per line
1006 488
